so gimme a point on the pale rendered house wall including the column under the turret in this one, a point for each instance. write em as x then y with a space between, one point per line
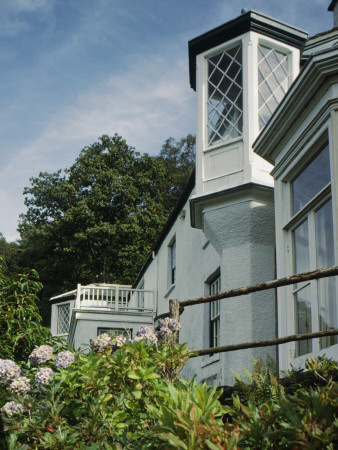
238 240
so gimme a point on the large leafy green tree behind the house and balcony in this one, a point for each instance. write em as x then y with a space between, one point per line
97 220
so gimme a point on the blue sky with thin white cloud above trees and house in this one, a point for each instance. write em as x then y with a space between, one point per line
74 70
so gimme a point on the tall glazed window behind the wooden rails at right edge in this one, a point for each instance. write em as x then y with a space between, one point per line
311 227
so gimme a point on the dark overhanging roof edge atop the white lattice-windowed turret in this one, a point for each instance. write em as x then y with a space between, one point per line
248 21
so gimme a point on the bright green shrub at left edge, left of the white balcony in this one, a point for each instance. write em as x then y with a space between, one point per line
20 322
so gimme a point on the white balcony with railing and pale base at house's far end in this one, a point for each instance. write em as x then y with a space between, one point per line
82 314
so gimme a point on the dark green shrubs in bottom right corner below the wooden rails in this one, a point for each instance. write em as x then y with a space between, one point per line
300 414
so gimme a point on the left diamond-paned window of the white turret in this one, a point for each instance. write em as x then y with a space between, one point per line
225 96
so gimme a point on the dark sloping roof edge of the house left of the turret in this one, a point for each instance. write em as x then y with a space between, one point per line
167 227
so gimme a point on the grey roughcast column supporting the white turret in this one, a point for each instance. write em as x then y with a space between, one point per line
244 235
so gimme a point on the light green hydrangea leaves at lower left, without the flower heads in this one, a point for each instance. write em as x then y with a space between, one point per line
100 401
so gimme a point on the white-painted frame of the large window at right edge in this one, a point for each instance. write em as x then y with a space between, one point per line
290 221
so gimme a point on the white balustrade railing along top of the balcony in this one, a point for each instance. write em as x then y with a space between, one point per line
115 298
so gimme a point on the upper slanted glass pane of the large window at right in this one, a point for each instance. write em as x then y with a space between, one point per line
312 180
